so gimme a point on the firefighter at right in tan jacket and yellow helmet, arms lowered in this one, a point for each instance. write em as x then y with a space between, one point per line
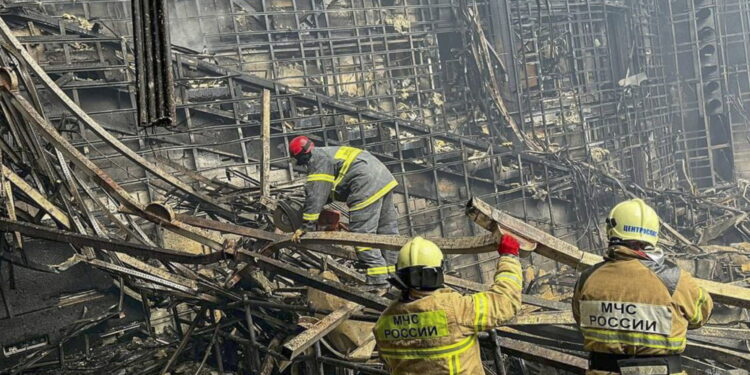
634 309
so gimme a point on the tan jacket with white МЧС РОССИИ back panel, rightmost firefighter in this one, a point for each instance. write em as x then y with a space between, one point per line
632 304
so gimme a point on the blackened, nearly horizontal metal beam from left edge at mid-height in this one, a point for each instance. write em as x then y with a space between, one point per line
76 239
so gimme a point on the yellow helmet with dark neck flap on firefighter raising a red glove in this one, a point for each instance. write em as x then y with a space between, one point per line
419 266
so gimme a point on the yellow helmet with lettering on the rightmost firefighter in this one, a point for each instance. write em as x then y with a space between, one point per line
633 220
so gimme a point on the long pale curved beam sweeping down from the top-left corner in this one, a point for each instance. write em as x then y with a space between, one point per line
92 125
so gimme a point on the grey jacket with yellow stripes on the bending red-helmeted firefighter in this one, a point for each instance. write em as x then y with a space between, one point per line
346 174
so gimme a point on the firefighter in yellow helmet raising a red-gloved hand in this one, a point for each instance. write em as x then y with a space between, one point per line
430 330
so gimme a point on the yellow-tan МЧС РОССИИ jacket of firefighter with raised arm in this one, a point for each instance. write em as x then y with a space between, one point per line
437 333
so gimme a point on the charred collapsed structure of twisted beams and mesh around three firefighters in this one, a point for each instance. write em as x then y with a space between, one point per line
134 244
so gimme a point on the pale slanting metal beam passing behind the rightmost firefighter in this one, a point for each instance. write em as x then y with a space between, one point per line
556 249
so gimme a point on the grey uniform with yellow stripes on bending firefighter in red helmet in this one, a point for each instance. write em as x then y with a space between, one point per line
360 179
